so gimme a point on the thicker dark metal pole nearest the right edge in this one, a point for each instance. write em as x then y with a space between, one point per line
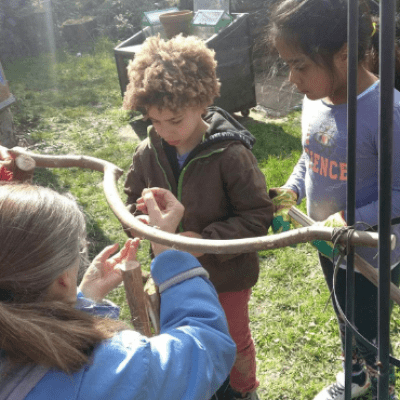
386 72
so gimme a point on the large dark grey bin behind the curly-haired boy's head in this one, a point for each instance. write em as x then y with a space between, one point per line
232 46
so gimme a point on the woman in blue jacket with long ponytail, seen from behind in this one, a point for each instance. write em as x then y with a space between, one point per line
49 349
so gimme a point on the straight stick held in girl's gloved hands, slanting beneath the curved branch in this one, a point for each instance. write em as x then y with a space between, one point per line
362 266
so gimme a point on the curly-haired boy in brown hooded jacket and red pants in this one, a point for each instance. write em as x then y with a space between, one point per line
203 156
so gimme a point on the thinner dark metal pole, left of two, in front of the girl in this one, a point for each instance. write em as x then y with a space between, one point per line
352 43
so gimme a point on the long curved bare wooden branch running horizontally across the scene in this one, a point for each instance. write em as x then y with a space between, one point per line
111 175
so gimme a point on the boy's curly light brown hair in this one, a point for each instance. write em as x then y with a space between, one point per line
173 74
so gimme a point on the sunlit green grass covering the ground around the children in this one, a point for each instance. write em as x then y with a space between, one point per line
68 104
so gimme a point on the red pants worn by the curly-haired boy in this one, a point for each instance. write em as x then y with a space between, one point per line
243 374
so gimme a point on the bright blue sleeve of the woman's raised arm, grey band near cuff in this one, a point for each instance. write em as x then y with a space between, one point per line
190 359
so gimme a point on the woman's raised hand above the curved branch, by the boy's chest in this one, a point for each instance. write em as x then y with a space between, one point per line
163 209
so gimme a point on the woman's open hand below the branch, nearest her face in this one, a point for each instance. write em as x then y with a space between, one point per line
104 273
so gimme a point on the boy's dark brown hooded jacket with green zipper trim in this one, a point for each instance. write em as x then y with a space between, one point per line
221 187
